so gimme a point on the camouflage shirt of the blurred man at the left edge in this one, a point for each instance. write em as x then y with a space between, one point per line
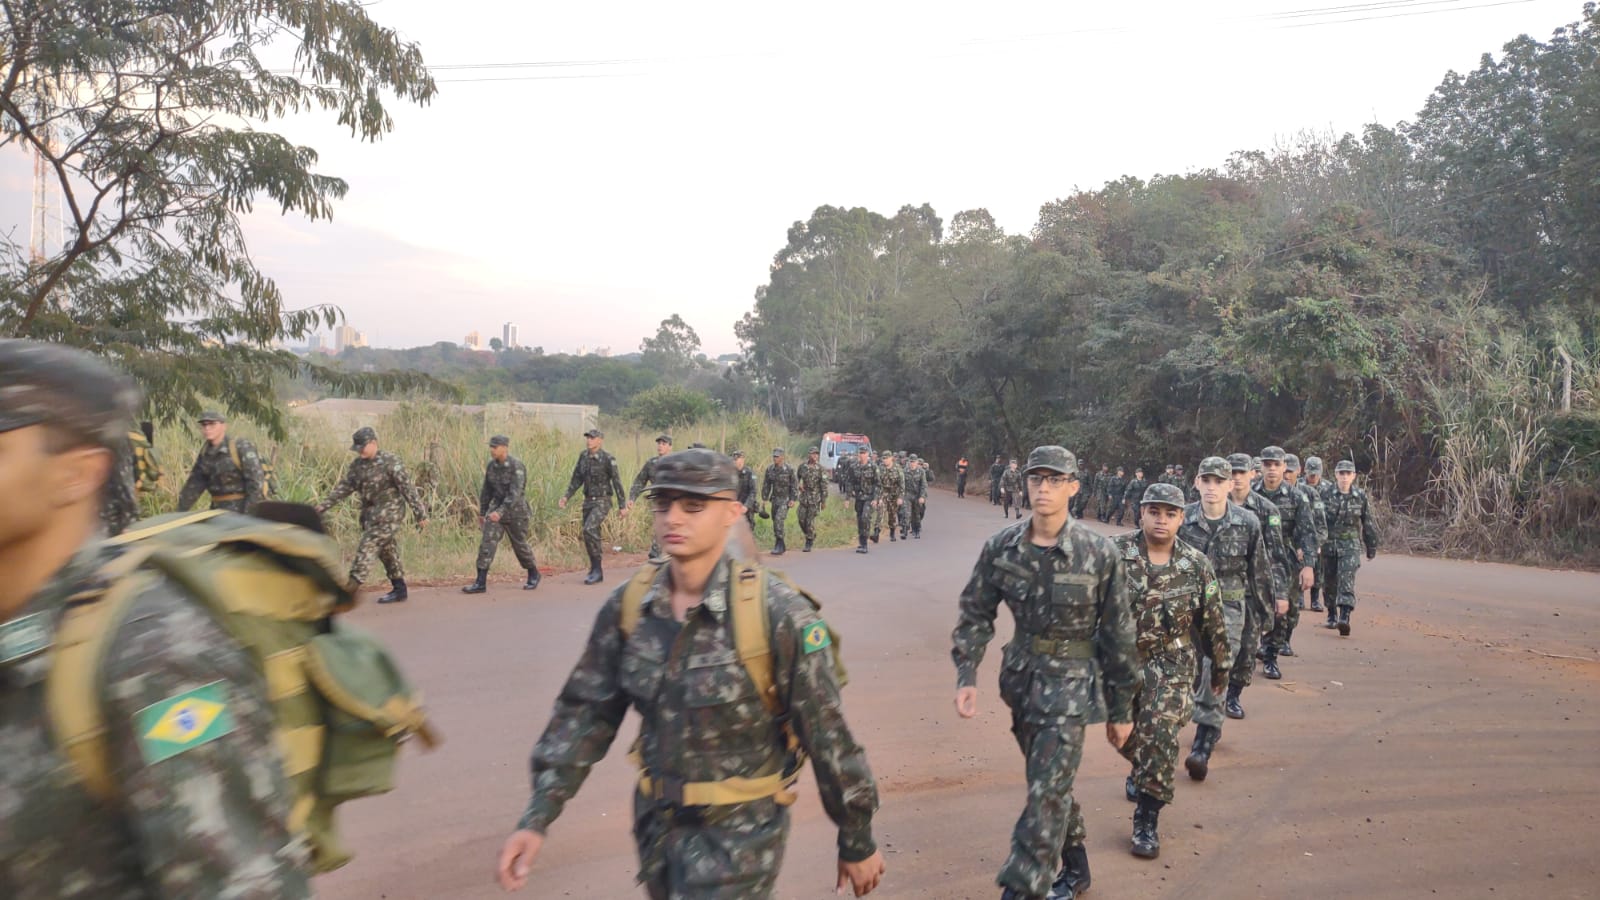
207 822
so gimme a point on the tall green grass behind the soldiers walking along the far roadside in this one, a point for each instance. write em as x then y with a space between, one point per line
447 451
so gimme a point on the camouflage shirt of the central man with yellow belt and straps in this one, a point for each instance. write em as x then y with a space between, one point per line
702 721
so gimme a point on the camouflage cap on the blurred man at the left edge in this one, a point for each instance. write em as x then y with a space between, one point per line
65 388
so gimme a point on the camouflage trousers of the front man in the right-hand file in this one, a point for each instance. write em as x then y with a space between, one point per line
1052 821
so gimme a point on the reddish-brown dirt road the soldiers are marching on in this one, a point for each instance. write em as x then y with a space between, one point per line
1447 747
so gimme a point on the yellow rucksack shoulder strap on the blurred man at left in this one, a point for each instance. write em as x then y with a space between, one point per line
73 702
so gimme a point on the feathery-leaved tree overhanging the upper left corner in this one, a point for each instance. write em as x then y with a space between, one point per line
148 119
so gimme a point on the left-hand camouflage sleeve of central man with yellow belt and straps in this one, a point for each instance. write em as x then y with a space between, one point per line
585 721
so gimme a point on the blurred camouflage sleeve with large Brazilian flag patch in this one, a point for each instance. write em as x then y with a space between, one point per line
209 806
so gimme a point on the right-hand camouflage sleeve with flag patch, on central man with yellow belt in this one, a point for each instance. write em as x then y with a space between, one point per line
806 677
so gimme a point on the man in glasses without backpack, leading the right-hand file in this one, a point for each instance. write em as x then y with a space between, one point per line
1071 662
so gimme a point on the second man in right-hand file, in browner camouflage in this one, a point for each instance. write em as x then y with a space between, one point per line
1178 609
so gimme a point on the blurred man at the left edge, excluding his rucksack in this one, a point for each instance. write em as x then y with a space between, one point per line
209 821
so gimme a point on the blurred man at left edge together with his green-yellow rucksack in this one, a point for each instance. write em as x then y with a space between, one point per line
140 744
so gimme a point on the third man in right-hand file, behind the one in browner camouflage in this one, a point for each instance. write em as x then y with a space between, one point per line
1234 542
